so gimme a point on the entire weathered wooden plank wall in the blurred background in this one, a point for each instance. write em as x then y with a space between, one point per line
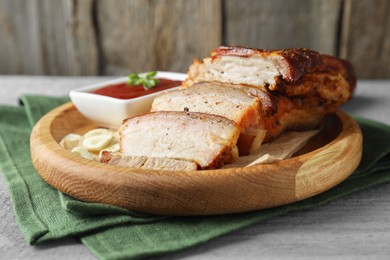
103 37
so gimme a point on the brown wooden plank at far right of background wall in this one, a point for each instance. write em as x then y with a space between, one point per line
365 37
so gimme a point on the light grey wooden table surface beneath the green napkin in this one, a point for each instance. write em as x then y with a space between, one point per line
353 227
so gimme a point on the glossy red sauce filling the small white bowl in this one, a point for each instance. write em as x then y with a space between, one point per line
124 91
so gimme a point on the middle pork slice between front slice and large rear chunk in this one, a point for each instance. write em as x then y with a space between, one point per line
236 103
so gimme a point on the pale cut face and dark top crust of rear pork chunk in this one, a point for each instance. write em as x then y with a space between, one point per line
256 67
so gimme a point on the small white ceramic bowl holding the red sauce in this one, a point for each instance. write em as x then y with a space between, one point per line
110 112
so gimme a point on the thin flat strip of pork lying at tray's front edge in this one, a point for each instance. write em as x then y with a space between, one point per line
150 163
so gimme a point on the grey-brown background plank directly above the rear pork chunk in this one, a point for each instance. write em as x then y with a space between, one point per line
283 24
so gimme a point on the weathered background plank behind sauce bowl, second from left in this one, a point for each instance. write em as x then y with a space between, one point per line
157 35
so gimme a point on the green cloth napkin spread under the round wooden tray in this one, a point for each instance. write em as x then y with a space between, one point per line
109 232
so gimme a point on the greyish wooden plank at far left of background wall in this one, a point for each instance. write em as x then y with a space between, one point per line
47 37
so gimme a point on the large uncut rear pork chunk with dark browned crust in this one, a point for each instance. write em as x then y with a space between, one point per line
297 87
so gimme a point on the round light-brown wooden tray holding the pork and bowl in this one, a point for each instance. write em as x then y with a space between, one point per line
328 159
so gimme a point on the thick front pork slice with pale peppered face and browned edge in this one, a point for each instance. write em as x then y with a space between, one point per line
205 139
